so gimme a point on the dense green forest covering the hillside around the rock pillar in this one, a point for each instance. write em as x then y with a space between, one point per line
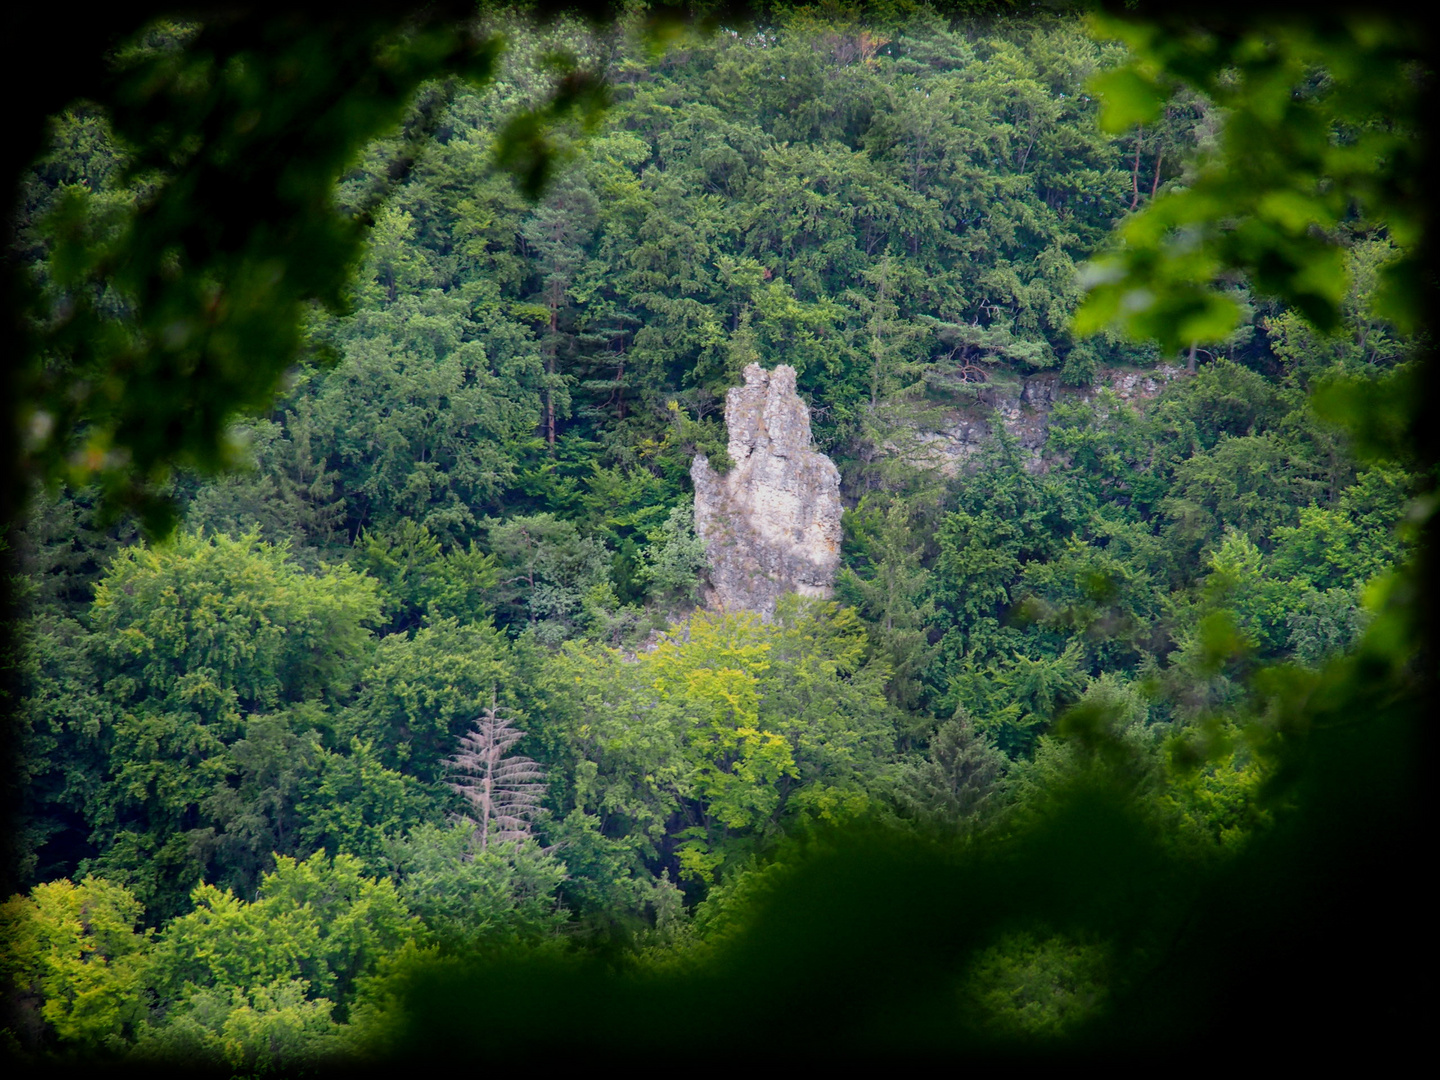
427 673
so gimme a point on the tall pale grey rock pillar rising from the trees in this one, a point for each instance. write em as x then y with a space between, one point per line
773 523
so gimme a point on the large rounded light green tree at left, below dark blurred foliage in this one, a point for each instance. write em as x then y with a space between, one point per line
194 637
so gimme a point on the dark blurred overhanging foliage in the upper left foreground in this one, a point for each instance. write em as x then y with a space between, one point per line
178 300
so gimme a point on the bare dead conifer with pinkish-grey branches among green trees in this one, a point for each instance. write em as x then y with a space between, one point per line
505 791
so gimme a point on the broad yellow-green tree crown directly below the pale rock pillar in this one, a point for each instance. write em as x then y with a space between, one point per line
725 734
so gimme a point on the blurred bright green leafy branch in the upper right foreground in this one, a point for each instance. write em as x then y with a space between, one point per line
1320 140
